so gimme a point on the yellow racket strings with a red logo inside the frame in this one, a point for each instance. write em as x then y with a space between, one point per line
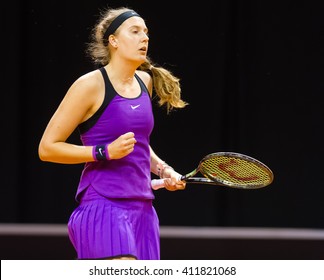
235 171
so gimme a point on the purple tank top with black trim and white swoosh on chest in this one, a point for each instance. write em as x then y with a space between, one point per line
130 176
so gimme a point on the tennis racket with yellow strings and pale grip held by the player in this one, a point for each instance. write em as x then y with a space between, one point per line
227 169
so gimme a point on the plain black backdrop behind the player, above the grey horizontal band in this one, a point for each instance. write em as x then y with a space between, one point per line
252 72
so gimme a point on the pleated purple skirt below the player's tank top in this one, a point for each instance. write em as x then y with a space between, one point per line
102 228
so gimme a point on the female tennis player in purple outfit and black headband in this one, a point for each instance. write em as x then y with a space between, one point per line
111 108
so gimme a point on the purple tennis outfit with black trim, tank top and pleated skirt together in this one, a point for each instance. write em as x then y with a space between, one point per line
115 216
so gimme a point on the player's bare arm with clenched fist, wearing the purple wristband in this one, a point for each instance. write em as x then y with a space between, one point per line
83 98
